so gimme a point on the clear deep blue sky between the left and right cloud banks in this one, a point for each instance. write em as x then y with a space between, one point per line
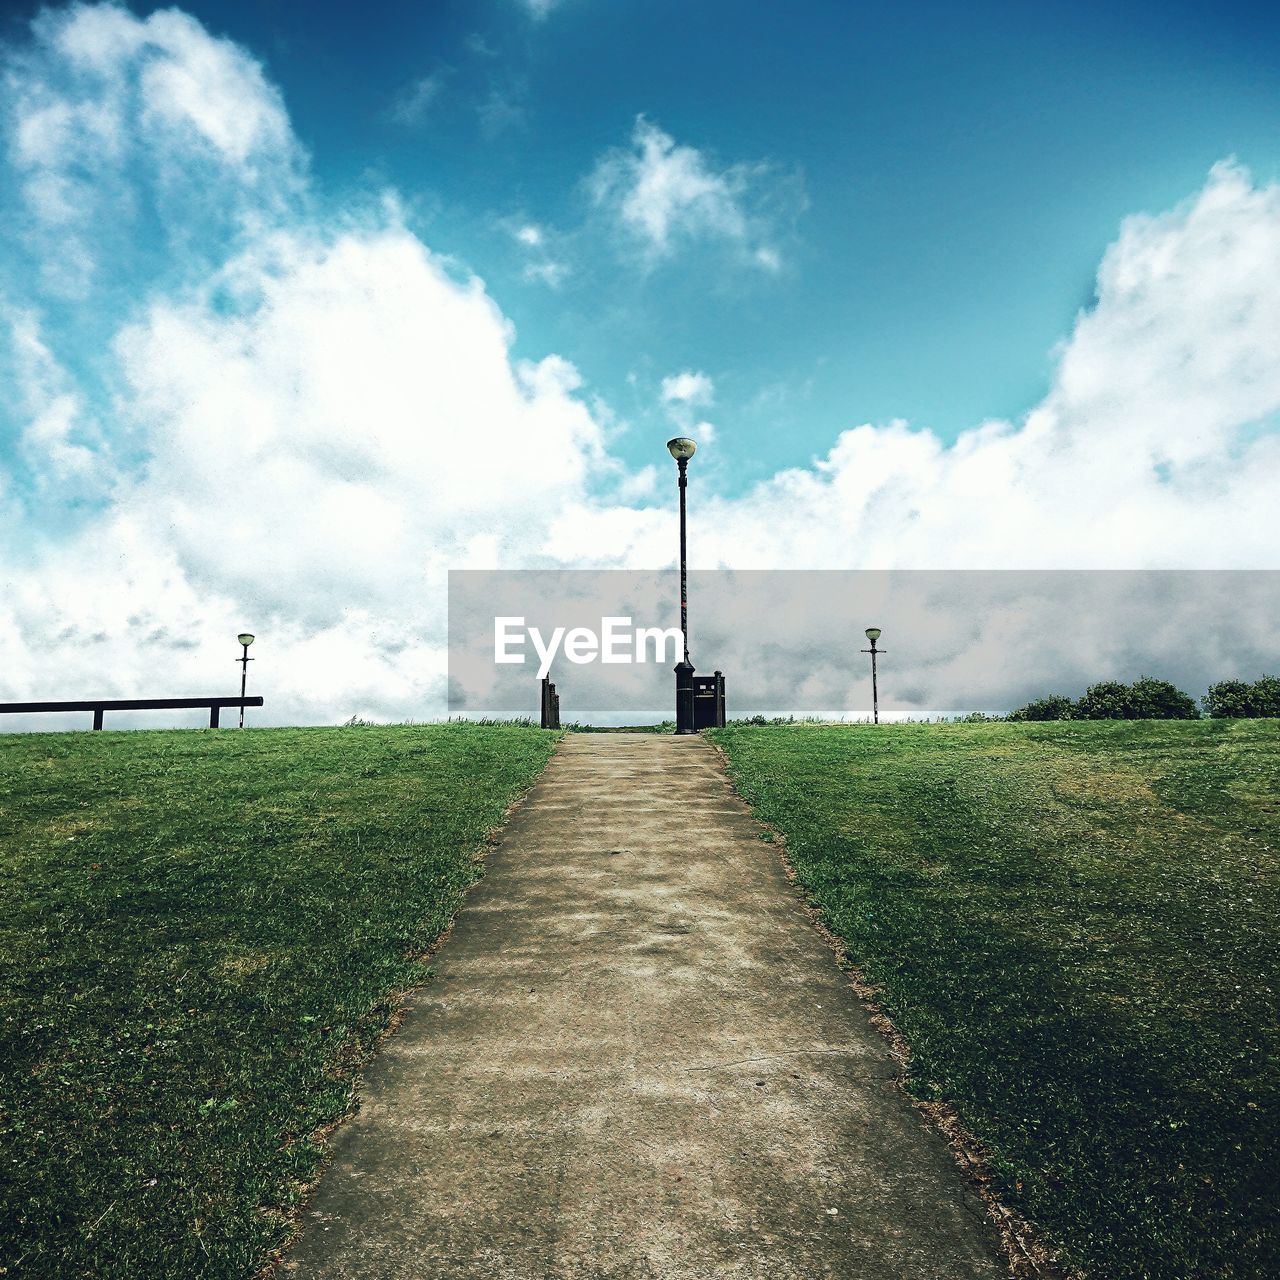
941 181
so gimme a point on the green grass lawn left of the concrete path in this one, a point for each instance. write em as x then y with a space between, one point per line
202 938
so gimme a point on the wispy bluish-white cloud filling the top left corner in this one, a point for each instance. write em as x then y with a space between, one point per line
120 127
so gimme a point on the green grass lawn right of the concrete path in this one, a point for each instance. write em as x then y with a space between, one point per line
1077 930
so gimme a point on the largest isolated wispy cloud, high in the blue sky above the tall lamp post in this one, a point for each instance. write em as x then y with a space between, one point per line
665 195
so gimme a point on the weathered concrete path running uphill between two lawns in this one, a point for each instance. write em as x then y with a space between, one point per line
638 1060
